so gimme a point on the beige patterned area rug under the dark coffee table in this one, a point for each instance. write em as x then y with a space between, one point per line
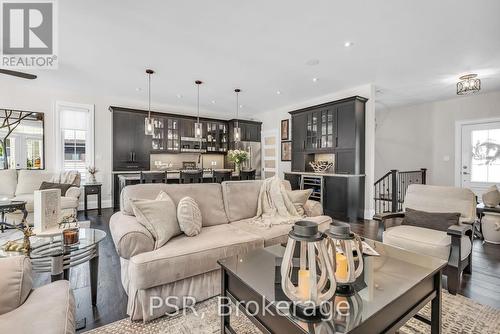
460 315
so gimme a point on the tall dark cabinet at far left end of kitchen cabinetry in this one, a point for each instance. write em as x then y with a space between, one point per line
131 146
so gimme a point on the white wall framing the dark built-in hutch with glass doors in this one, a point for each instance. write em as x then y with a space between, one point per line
271 120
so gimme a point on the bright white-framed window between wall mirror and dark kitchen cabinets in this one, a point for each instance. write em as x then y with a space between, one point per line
75 137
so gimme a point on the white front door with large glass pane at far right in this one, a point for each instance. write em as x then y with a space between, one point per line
480 167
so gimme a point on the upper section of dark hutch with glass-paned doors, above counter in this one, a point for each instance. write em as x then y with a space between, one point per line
336 127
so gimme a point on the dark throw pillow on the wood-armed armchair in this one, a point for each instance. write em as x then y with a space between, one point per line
439 221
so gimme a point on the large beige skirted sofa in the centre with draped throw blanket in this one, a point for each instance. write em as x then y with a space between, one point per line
187 266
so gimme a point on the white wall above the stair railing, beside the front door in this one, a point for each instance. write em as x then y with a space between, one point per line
424 135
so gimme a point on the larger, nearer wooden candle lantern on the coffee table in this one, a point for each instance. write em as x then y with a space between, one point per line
315 271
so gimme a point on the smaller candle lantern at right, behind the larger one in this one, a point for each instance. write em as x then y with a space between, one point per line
346 251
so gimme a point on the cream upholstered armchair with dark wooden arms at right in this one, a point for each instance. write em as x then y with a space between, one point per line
454 245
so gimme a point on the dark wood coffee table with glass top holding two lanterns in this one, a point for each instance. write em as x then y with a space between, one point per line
397 284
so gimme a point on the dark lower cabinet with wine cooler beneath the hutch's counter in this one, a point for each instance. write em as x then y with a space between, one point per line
342 195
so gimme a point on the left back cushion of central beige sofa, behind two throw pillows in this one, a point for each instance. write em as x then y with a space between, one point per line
207 195
